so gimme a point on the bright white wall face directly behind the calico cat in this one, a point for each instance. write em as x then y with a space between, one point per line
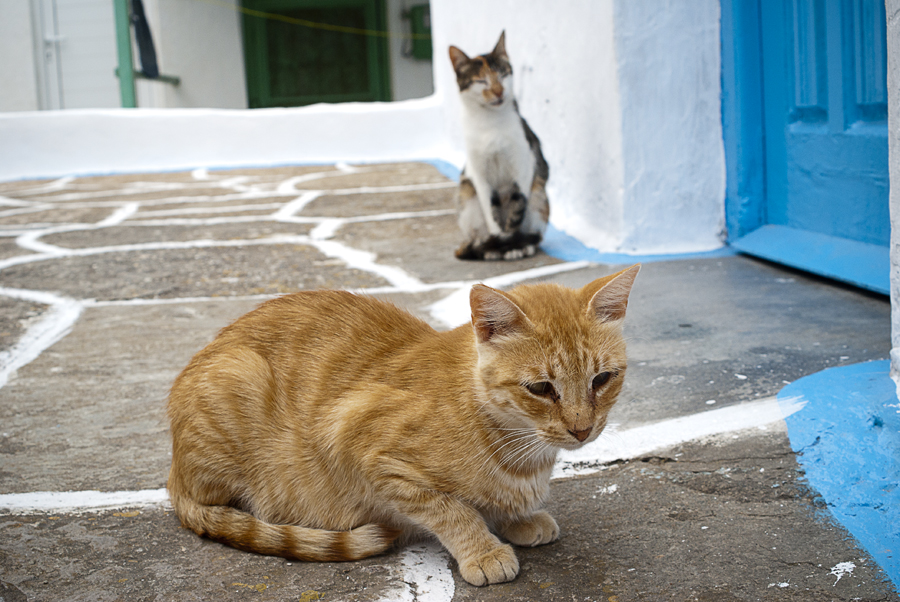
565 79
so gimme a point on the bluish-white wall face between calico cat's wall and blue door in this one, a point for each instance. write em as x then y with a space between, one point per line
670 72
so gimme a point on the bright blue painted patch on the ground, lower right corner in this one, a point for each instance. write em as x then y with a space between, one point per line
847 439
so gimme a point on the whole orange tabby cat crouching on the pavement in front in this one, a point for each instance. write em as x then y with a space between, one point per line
325 425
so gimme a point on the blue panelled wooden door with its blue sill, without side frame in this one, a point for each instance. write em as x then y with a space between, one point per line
824 124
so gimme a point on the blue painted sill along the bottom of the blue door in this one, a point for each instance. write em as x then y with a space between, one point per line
857 263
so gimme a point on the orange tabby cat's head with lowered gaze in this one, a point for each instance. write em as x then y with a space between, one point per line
551 358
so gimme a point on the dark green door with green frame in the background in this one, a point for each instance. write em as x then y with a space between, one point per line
300 52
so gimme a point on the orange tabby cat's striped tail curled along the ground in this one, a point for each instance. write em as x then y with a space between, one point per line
246 532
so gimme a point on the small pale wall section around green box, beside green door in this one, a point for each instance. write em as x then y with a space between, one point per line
410 78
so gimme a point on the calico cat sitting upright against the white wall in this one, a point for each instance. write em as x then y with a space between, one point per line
502 201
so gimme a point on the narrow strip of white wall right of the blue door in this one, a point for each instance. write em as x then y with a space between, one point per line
893 39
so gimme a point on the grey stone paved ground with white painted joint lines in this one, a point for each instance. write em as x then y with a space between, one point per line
108 285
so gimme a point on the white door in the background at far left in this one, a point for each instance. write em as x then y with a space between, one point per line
77 48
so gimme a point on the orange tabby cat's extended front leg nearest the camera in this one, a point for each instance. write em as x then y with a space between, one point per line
483 559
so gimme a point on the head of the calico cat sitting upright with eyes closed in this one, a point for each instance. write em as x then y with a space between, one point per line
487 78
